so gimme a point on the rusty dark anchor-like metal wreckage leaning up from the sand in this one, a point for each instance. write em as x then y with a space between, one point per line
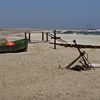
85 64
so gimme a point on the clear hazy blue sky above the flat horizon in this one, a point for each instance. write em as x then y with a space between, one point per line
49 13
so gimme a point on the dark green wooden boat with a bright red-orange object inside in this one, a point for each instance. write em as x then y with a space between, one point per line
17 46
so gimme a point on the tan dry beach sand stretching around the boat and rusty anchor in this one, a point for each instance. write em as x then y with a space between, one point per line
35 74
